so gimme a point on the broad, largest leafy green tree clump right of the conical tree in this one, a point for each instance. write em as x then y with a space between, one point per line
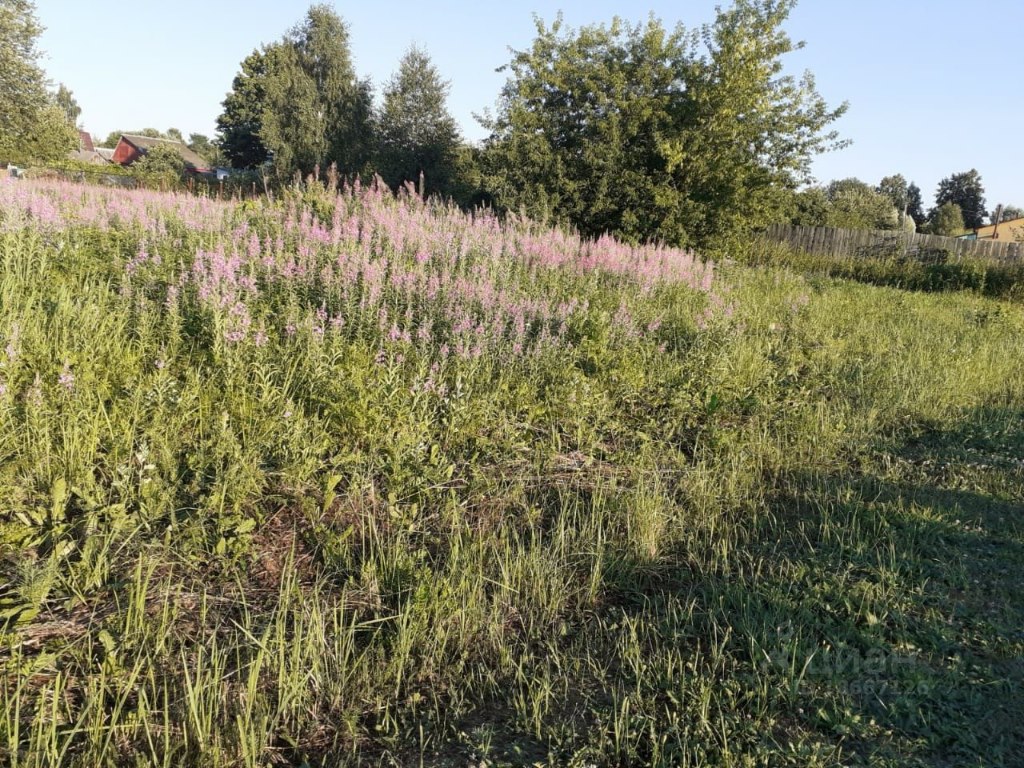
652 134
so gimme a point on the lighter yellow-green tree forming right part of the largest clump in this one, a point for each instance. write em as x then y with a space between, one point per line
749 134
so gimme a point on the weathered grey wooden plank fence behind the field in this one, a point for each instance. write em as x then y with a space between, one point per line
823 241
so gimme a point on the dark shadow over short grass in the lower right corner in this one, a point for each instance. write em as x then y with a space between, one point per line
883 611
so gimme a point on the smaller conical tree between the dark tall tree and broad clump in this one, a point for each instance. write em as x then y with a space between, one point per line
416 133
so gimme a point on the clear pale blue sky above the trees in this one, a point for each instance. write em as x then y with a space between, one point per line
933 86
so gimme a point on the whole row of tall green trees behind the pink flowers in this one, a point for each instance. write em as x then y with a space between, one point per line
648 133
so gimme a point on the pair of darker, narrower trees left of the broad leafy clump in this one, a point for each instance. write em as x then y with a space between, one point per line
298 105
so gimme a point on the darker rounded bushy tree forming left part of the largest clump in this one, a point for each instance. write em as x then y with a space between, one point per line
580 135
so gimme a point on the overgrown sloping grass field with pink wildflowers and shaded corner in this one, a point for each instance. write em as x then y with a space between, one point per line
355 481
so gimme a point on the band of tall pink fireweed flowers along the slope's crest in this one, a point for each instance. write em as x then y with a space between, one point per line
401 273
